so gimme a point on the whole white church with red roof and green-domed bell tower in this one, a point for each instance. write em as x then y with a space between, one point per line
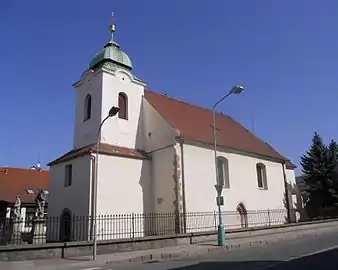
156 157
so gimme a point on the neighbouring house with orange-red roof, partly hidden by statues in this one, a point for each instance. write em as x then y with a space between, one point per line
23 183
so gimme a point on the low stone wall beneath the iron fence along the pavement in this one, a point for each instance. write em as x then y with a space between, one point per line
71 249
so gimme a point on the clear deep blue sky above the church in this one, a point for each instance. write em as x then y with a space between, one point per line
283 52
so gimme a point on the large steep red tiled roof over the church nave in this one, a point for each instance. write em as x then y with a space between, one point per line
195 123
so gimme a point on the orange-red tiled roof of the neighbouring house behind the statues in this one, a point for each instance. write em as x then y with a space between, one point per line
15 181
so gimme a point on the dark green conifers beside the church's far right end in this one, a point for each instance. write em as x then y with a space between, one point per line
319 172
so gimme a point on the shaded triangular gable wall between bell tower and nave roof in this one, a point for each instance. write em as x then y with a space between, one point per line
156 131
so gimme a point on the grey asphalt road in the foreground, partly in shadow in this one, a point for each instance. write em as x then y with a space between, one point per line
310 253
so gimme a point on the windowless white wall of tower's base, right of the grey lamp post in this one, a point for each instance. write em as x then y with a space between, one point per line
124 194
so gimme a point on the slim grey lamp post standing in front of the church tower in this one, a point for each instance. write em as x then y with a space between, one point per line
112 112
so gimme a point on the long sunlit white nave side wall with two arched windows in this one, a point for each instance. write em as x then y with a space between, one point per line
200 192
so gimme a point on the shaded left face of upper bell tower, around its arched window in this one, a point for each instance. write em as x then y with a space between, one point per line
85 131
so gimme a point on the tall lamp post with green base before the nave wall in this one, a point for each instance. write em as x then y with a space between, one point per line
219 185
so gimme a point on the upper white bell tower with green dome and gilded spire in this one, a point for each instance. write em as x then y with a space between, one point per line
108 81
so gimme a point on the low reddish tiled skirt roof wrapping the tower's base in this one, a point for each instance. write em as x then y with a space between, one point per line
104 148
